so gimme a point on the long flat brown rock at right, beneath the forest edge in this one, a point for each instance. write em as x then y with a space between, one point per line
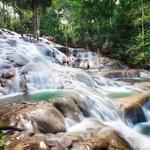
121 73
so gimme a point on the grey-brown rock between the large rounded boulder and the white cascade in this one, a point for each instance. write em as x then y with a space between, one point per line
68 108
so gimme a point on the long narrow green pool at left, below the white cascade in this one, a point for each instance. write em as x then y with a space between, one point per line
44 95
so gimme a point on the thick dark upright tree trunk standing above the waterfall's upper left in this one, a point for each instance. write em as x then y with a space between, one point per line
34 23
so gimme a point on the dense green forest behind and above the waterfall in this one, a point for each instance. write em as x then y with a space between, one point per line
118 28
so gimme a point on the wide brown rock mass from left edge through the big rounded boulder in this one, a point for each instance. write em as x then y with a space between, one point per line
35 118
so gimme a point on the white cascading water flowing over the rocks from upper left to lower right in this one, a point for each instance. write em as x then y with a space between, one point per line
36 69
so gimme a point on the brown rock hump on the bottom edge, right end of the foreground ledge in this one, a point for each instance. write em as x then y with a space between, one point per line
108 140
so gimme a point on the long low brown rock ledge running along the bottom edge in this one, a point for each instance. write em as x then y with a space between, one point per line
103 140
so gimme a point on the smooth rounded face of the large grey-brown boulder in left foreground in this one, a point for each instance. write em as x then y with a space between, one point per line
47 120
